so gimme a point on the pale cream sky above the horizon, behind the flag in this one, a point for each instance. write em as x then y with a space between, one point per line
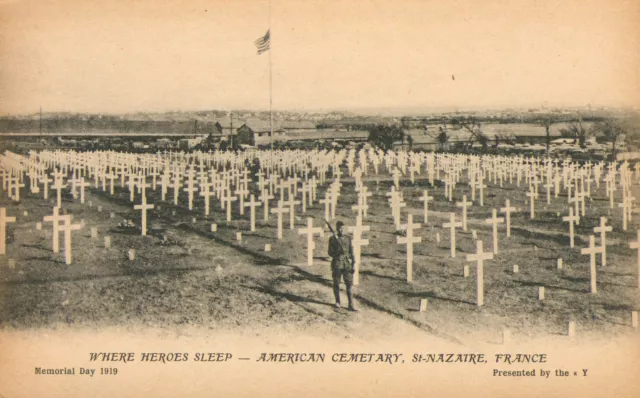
121 56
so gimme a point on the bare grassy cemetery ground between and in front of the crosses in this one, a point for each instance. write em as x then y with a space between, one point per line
183 274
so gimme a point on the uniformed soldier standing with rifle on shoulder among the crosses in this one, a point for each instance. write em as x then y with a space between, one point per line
342 264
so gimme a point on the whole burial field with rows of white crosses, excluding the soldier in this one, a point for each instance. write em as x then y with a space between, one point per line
461 247
